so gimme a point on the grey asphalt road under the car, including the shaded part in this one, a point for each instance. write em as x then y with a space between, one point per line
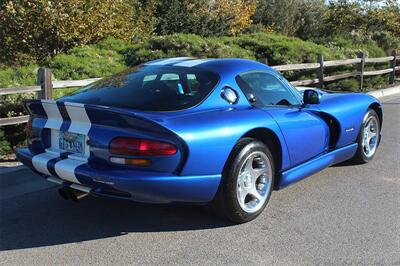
343 215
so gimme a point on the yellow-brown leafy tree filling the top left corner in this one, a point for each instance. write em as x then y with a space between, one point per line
44 28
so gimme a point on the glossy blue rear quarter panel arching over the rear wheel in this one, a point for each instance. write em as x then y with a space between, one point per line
211 136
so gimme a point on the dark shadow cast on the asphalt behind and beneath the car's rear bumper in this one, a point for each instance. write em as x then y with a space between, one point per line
42 218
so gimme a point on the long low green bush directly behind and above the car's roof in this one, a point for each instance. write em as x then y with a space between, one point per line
277 48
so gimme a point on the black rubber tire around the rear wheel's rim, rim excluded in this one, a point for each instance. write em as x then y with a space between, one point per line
225 202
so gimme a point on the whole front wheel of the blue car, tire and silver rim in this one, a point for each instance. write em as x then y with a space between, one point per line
368 138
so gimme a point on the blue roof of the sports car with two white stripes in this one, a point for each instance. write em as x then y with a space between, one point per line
218 65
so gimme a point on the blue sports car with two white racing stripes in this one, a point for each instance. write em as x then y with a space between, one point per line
224 132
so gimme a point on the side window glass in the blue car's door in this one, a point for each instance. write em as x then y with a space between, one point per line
268 89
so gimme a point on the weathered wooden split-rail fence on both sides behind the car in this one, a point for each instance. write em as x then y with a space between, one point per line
46 85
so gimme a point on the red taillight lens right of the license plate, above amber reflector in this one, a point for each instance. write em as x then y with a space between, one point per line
141 147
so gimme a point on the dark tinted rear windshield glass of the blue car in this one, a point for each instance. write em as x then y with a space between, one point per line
149 88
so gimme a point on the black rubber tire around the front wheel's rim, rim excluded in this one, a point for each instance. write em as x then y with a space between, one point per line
360 157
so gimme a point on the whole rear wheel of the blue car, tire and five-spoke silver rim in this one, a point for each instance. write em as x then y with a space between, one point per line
247 182
